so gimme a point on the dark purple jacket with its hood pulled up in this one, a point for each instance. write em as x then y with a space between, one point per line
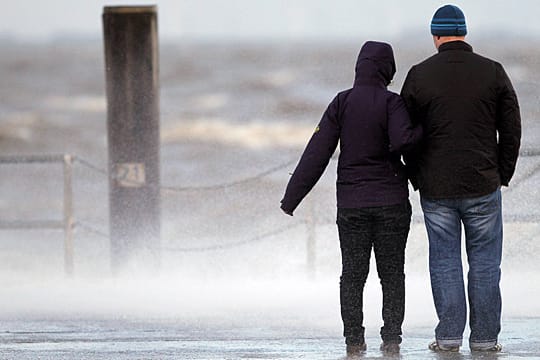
373 129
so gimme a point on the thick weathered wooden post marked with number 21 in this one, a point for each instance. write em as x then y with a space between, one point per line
131 61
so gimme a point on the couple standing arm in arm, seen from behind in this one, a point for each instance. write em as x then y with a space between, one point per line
457 126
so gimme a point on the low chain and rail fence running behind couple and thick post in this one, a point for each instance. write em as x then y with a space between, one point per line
69 225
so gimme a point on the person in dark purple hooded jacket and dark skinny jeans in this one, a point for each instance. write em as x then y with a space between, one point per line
373 128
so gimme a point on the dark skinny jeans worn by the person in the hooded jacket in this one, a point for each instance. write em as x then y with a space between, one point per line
385 229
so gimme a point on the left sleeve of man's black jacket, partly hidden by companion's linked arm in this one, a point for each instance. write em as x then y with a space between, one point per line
408 94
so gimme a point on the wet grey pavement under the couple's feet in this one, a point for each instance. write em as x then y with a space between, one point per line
146 339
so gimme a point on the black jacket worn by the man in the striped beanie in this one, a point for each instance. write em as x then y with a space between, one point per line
472 128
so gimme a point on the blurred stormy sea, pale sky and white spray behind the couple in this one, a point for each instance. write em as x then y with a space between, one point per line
243 85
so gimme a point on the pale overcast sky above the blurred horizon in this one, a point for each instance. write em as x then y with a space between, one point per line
252 19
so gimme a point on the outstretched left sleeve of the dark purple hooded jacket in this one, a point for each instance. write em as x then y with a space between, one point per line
314 160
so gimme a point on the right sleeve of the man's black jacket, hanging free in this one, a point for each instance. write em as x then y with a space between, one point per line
508 126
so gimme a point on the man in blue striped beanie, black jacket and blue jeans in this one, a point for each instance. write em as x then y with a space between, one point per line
472 129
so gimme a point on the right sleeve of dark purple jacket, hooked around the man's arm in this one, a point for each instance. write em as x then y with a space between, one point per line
403 135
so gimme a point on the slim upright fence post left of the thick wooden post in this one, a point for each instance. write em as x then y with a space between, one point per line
68 214
